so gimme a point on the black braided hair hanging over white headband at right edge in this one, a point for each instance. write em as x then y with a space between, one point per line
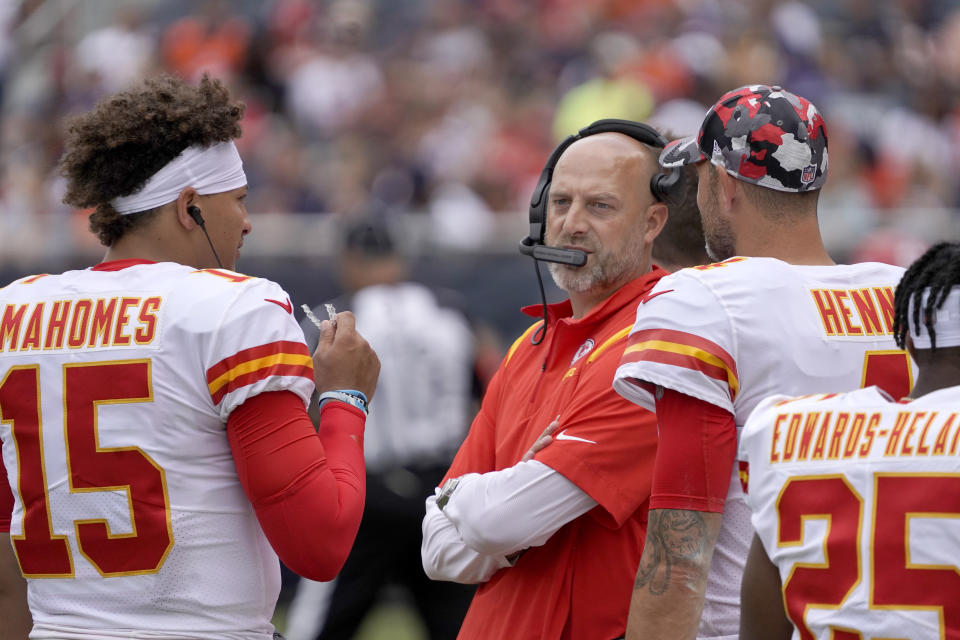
939 270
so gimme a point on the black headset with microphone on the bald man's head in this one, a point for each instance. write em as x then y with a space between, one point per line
661 184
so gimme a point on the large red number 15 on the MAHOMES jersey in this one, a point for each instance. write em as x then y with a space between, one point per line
89 467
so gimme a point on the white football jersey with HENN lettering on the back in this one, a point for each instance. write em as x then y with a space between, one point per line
735 332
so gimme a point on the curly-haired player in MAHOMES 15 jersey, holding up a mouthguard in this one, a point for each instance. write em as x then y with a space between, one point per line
153 419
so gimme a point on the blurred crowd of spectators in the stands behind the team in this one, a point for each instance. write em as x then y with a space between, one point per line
447 109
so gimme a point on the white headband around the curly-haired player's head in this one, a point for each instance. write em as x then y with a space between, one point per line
207 169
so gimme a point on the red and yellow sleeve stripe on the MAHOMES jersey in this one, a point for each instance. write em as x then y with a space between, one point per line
281 358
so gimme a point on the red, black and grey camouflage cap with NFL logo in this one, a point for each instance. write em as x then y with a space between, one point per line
762 135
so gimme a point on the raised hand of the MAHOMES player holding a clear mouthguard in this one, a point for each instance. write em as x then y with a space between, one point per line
344 359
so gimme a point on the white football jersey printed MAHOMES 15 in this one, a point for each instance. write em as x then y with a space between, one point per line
115 388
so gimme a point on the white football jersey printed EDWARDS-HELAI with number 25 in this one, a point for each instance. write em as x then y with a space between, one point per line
856 499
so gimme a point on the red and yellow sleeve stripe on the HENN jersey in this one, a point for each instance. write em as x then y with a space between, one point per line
682 349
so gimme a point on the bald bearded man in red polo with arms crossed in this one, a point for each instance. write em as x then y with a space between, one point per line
553 535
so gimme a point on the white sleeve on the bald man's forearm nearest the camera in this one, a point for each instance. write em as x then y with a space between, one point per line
502 512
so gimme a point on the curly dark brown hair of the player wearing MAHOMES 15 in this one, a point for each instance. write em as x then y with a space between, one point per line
114 149
